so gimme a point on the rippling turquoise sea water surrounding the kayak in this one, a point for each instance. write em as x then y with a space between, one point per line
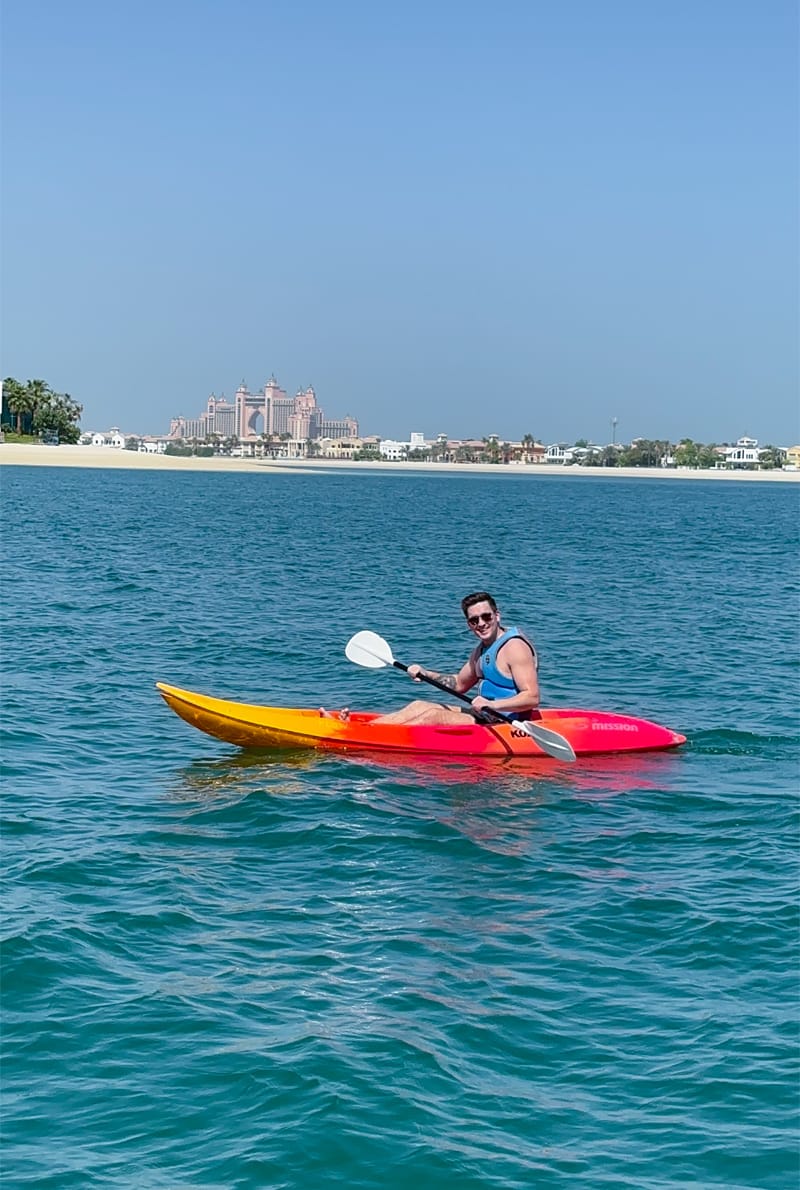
296 970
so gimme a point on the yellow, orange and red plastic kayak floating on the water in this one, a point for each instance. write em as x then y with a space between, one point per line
590 732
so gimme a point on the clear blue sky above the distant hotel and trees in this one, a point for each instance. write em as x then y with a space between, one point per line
521 217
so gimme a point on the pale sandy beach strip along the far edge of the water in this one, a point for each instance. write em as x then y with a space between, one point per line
24 455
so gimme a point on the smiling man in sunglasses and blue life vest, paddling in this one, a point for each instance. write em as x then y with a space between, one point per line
504 662
